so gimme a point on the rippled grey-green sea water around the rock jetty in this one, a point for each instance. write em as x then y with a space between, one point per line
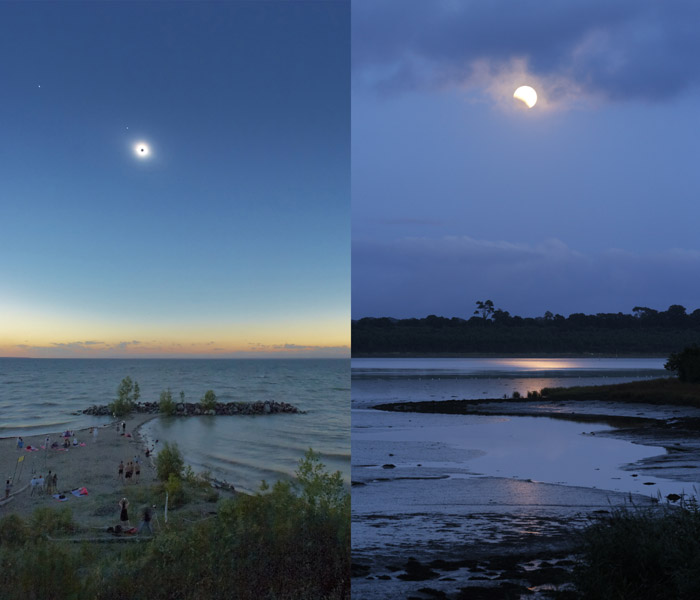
43 395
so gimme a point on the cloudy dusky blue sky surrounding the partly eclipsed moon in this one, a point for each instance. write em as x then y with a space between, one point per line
588 202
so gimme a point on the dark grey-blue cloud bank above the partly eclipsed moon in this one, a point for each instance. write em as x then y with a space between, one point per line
627 49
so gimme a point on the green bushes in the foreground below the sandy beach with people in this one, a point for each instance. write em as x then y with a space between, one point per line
291 541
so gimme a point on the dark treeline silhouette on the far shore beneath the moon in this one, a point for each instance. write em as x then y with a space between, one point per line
494 331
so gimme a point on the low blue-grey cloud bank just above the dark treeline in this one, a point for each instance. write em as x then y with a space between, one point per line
415 277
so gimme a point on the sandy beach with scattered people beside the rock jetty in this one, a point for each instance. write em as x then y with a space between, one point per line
93 466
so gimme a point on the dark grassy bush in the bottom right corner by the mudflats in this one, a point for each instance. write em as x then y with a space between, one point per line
642 554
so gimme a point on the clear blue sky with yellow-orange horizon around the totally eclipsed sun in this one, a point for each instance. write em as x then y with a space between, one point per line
233 237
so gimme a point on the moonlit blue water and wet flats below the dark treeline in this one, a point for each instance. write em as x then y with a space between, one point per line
436 486
